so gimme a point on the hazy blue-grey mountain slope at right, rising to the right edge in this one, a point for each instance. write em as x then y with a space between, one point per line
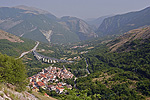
123 23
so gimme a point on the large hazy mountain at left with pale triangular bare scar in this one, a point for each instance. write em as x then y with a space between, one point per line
37 24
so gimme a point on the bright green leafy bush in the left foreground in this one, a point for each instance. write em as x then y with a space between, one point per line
12 71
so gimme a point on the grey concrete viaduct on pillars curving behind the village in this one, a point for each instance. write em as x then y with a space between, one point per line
47 59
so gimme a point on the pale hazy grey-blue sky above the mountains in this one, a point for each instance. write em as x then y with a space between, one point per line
82 8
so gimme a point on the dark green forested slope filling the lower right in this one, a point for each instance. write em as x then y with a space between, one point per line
119 75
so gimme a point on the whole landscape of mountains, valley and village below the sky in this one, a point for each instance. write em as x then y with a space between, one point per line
65 59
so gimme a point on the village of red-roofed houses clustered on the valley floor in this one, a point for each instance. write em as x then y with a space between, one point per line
48 77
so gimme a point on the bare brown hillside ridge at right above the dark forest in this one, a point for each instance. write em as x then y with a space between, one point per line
129 37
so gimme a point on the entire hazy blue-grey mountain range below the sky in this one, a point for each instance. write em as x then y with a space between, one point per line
37 24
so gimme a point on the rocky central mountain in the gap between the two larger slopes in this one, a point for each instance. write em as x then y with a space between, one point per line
78 26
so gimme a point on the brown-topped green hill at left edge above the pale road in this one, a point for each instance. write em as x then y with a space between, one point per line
13 45
